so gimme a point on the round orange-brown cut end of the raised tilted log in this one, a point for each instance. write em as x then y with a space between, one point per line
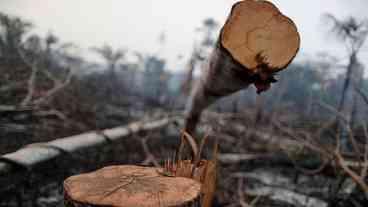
258 35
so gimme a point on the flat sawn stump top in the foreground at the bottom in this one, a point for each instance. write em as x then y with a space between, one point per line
130 186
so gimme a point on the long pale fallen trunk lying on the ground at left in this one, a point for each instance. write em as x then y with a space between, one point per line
15 166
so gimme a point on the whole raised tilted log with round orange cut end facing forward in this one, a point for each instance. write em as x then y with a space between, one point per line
256 41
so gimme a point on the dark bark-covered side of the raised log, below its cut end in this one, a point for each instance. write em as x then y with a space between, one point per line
222 77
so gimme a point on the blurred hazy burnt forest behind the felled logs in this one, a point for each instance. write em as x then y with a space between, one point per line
46 75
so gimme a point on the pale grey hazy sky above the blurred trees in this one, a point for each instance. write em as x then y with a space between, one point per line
137 24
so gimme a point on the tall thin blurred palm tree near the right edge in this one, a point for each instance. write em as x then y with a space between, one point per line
353 34
